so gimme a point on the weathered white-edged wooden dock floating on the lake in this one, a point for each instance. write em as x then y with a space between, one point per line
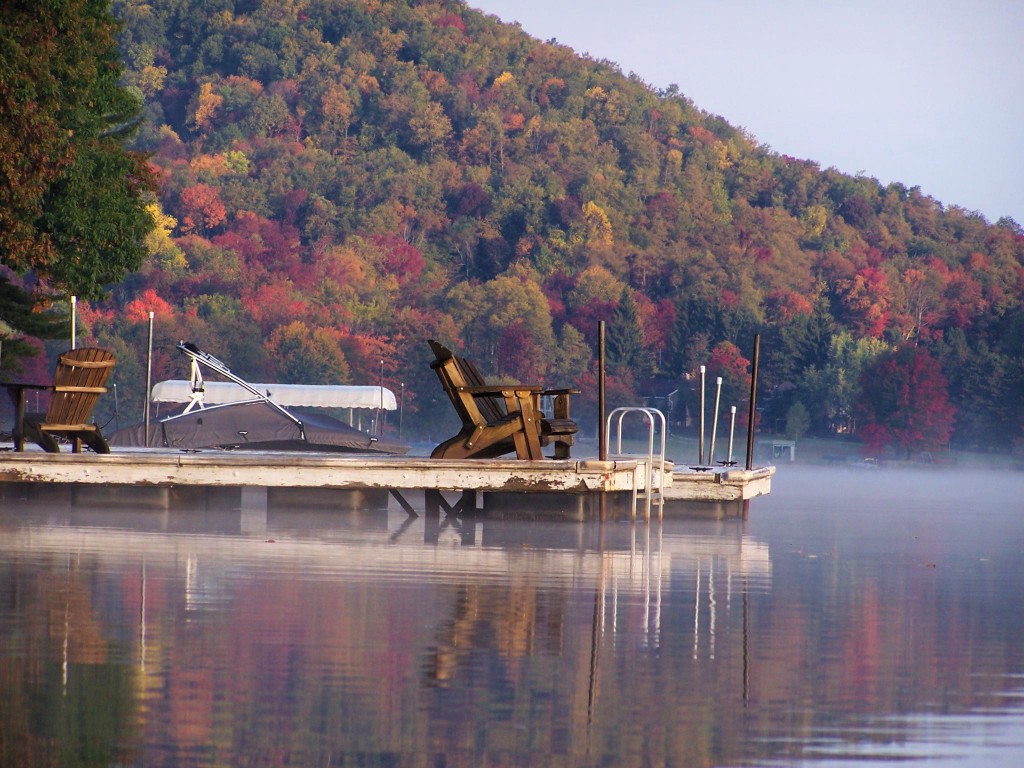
576 483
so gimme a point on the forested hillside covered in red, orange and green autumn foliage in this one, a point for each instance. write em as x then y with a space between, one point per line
343 180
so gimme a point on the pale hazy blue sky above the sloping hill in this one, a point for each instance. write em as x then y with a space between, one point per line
926 93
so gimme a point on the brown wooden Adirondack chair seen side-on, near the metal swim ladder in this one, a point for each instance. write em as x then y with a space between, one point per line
499 419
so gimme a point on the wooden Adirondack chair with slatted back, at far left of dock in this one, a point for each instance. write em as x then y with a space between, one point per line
78 381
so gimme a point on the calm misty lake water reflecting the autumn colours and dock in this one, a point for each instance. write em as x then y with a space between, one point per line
856 618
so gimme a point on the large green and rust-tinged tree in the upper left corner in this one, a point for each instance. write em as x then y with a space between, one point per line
72 197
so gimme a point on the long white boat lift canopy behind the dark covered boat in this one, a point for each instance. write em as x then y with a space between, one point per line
311 396
